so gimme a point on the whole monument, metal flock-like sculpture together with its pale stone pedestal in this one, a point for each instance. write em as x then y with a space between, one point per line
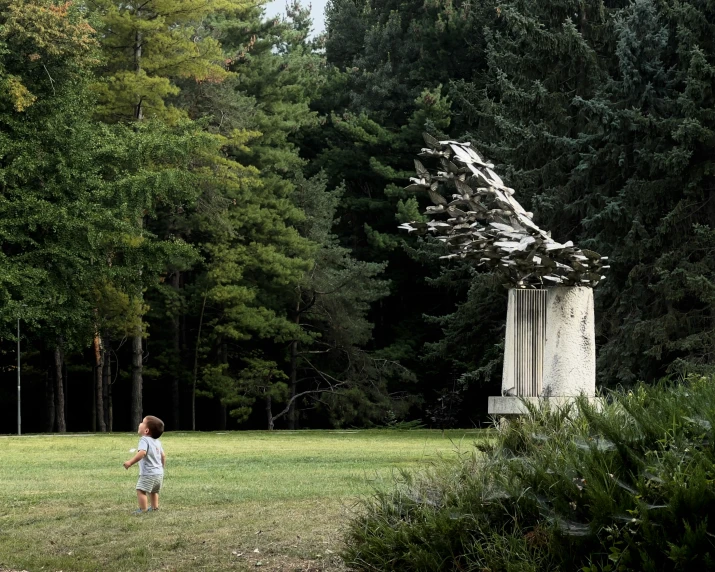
549 344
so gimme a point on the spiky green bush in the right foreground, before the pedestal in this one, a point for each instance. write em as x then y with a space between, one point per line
628 487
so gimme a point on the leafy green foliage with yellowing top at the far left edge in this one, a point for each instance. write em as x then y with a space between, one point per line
58 211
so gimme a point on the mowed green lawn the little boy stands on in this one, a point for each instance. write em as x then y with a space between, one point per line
231 501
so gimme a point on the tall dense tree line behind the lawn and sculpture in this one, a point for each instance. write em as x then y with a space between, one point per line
199 205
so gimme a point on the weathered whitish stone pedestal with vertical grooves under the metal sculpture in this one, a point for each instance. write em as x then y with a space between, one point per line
549 350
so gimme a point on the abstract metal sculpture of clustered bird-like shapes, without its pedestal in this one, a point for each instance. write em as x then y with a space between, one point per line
485 223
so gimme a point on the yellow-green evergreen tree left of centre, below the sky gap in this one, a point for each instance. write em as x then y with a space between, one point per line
254 255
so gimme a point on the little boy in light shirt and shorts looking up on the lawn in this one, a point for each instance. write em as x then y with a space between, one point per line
151 459
